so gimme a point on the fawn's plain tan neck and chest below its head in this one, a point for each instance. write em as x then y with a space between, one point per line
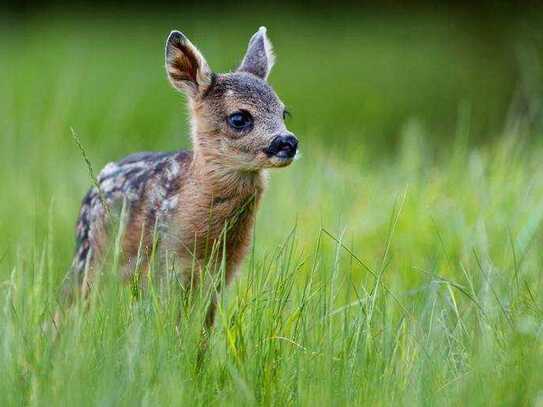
212 199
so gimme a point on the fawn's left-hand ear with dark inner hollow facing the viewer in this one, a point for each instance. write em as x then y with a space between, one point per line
186 67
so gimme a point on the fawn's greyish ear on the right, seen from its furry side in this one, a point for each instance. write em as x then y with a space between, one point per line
259 57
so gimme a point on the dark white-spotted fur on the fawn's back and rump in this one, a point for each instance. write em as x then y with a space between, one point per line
146 181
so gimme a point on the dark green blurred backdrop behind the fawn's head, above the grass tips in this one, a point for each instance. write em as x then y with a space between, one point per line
358 72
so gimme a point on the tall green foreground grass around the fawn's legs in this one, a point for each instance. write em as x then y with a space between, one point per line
436 303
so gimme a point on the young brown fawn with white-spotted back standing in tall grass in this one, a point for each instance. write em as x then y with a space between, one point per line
199 204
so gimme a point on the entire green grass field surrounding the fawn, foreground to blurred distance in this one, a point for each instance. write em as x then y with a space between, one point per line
399 261
